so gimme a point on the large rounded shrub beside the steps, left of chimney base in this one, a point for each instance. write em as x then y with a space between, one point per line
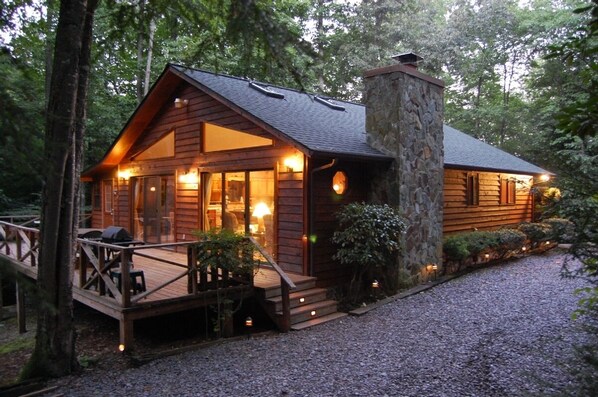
369 238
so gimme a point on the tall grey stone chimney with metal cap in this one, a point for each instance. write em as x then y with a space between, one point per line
404 118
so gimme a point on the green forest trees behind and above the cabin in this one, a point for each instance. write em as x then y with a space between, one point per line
491 54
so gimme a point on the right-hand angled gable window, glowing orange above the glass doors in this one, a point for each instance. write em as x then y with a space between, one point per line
216 138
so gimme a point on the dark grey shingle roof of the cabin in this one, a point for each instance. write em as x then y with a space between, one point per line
323 129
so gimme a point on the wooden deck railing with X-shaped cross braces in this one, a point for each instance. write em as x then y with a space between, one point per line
97 261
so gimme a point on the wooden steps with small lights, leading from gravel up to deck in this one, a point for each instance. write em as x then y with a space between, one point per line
309 304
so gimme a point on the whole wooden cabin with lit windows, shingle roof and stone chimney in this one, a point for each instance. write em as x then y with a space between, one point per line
205 150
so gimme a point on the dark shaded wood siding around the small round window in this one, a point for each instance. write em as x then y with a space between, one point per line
325 205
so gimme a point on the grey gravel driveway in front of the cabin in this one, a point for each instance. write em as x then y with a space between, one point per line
500 331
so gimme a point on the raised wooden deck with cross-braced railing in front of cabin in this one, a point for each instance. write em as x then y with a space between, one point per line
173 282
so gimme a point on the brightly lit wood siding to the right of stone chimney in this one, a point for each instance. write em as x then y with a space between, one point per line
490 213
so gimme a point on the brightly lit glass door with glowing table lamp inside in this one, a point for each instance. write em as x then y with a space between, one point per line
242 202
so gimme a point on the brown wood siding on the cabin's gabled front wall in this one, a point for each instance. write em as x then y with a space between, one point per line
187 124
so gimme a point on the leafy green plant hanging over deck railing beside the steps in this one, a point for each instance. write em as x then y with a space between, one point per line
224 249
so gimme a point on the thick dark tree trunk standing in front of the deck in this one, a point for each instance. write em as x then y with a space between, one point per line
54 353
